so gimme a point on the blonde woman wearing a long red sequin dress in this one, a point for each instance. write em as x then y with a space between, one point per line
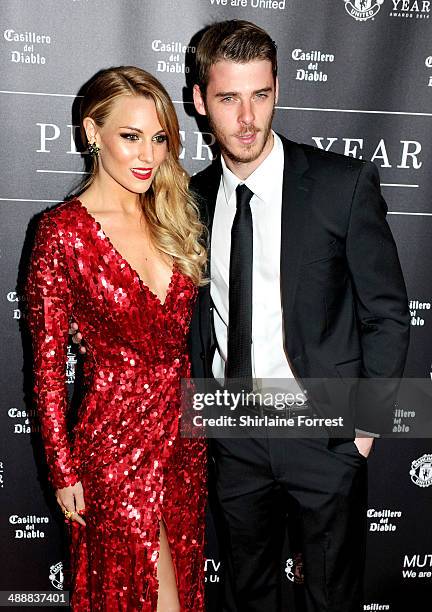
124 261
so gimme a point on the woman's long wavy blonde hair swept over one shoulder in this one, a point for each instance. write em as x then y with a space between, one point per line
168 206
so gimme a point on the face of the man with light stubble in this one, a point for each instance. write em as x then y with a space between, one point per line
239 104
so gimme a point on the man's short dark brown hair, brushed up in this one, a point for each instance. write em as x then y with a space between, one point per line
236 41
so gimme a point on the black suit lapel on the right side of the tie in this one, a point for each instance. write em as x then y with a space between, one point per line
295 194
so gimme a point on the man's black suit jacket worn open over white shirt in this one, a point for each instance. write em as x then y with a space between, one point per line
344 301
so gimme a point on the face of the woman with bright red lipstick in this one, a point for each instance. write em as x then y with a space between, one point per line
132 143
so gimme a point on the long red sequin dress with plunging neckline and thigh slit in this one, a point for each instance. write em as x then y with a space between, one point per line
126 447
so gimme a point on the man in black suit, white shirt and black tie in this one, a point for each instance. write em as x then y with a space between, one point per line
304 263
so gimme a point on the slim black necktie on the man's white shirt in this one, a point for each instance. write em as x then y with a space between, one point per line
239 360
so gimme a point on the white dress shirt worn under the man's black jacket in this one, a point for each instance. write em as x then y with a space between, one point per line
268 354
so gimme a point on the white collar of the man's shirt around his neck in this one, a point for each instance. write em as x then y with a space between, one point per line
261 180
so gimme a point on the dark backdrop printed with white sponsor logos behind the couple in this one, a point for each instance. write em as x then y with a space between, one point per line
355 78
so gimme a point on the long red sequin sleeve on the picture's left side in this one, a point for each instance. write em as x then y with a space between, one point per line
49 304
